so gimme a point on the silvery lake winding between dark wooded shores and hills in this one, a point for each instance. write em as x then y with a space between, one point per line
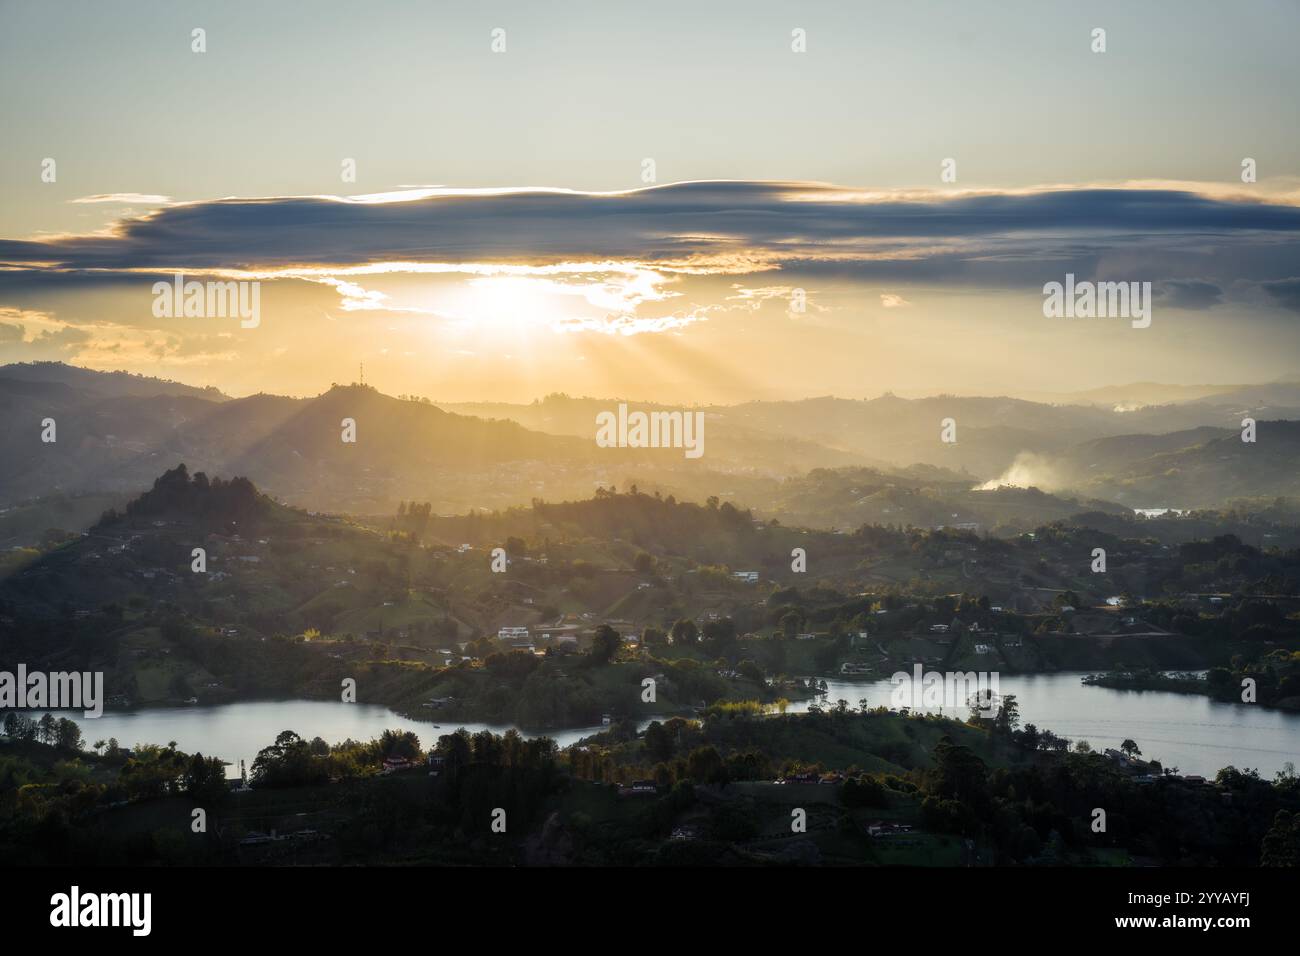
1193 733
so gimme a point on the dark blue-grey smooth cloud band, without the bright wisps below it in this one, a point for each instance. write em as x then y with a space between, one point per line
768 222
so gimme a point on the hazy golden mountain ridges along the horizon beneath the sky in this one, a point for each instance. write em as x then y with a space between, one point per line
116 431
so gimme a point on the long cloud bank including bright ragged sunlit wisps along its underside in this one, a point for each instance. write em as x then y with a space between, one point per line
627 246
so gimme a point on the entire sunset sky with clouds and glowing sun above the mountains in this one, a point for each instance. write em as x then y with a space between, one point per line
677 202
